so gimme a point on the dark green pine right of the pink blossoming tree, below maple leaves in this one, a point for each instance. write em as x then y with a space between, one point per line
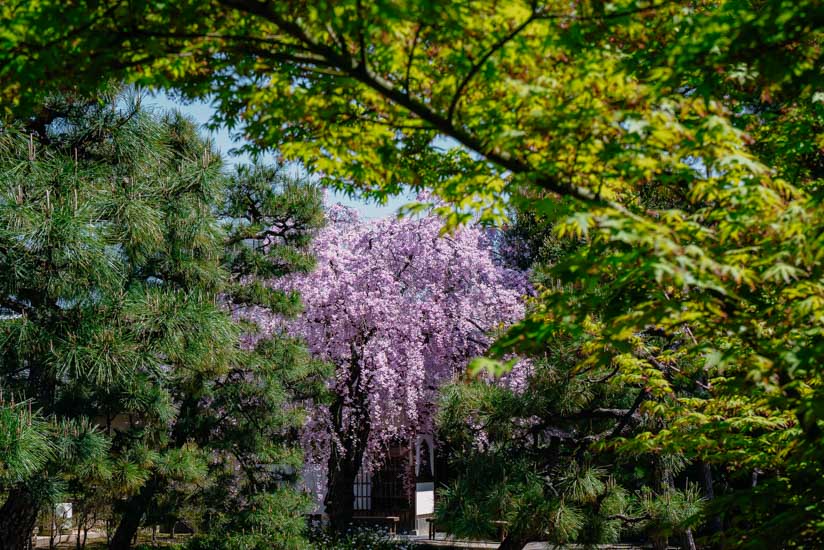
539 455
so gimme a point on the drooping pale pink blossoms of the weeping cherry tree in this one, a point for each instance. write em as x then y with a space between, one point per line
399 308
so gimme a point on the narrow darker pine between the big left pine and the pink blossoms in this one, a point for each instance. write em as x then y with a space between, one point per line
254 417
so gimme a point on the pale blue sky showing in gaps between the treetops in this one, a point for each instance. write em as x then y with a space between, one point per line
202 112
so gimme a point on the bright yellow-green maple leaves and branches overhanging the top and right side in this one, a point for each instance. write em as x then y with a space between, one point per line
715 105
